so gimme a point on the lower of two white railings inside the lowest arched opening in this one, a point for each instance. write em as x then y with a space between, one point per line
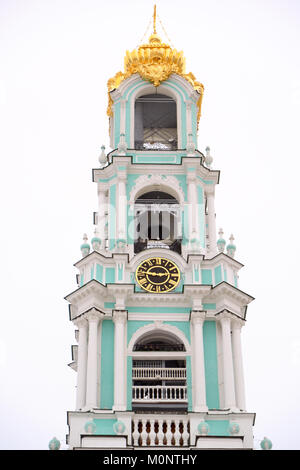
159 393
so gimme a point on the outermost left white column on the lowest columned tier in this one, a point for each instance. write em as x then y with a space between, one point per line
82 325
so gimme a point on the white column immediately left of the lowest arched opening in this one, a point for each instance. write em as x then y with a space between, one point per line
119 319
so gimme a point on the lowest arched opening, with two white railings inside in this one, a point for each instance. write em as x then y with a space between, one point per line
159 376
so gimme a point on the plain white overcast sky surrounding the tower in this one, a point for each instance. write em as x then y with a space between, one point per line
56 57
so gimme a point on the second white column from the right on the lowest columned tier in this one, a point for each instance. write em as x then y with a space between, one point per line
228 374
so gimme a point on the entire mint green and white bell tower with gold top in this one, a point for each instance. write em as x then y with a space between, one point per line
158 310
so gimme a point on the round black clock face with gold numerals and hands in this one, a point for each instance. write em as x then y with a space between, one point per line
157 275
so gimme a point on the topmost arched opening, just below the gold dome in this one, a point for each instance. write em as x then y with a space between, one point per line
155 124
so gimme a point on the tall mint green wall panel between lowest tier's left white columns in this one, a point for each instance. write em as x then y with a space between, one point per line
107 365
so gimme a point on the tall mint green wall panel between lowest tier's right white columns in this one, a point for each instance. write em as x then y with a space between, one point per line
211 364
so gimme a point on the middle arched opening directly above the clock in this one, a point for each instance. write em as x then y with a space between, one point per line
157 217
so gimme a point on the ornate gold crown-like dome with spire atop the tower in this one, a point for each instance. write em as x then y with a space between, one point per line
155 62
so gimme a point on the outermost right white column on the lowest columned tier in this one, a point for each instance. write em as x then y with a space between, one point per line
238 365
